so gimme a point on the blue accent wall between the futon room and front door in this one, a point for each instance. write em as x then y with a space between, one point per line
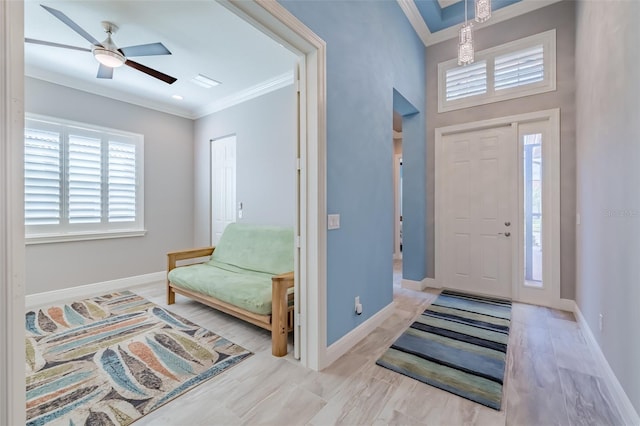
371 50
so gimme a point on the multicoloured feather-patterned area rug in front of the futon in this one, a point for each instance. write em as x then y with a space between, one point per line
110 360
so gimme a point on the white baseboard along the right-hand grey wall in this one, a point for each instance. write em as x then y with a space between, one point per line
620 398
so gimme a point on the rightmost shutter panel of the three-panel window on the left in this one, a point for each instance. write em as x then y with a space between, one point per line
122 182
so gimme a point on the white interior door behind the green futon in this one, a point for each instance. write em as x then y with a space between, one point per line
223 185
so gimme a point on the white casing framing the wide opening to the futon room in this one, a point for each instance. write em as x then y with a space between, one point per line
267 15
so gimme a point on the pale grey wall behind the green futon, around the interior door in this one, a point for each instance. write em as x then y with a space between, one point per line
265 166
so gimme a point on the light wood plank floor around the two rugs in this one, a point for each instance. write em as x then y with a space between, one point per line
551 378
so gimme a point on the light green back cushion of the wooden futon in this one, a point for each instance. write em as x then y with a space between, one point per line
259 248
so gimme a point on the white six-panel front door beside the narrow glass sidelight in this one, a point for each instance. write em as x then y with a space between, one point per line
479 211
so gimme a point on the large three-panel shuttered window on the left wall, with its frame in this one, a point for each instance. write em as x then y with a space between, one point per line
81 181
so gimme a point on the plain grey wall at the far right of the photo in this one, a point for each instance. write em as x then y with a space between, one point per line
608 181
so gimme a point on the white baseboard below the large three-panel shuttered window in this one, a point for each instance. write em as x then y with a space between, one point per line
73 293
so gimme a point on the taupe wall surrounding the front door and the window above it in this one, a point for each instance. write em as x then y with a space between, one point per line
560 16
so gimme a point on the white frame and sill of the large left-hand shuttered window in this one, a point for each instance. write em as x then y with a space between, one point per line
95 231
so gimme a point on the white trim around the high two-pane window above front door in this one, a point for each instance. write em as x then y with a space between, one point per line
548 84
